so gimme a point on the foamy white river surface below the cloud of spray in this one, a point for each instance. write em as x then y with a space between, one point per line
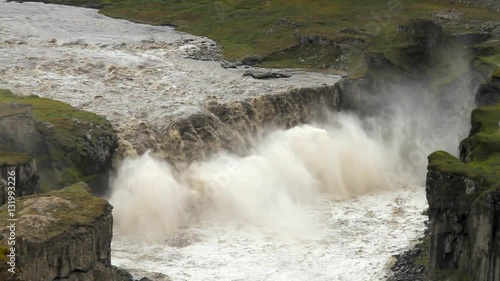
350 240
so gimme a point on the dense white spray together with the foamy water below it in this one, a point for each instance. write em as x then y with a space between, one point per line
309 204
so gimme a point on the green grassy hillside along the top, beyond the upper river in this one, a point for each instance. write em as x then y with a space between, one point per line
273 29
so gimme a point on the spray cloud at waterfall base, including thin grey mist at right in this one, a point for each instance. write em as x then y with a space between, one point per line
289 169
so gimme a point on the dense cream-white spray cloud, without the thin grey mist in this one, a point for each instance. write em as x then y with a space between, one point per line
286 171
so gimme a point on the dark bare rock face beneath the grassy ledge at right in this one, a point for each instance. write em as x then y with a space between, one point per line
464 225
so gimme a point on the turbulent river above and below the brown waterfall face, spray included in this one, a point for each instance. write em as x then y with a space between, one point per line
327 201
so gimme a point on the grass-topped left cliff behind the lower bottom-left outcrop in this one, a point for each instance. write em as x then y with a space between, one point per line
68 144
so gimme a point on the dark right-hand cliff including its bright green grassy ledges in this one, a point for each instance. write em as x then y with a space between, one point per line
464 203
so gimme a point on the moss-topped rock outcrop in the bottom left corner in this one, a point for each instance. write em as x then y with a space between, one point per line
61 235
